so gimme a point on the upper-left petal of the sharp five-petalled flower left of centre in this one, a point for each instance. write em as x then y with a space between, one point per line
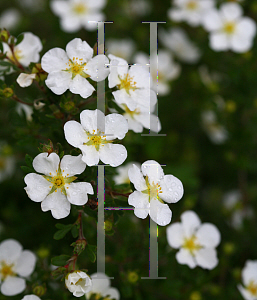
46 164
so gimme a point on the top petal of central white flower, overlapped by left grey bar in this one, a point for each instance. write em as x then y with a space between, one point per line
91 120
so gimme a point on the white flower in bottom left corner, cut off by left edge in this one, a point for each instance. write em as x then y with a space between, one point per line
14 262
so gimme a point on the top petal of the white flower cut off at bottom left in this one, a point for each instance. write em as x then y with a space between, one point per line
10 251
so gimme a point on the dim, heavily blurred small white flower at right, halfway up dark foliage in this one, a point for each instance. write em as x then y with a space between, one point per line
216 132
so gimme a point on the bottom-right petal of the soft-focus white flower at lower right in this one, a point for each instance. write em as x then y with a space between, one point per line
206 258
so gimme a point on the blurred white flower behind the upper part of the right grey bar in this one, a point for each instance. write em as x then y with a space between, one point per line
167 70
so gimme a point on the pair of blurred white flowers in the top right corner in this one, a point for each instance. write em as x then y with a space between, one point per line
229 30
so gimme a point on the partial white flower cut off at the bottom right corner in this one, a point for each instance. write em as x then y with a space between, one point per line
249 278
